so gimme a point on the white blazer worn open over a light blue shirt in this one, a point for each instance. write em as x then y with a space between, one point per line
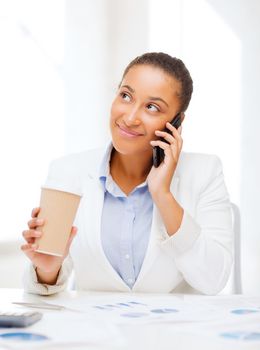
197 258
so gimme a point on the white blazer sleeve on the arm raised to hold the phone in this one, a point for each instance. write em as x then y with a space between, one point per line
202 247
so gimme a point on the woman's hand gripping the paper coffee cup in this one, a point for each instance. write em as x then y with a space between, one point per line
47 266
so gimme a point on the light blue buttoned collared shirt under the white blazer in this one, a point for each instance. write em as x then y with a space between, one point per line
125 224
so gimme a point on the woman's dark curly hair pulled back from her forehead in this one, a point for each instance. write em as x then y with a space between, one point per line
172 66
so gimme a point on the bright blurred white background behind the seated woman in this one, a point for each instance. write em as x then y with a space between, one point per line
60 64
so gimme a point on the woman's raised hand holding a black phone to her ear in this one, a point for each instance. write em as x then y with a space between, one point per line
159 179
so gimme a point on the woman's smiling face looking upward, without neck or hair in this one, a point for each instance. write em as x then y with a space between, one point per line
146 100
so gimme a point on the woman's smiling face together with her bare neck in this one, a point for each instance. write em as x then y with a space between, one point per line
144 104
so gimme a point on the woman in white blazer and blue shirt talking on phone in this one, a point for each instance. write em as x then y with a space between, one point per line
141 228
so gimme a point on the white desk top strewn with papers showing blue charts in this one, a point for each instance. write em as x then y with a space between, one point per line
99 322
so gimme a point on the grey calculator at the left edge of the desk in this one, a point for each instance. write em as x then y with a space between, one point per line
19 319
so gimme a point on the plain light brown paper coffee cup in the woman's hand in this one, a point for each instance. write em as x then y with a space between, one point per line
58 209
